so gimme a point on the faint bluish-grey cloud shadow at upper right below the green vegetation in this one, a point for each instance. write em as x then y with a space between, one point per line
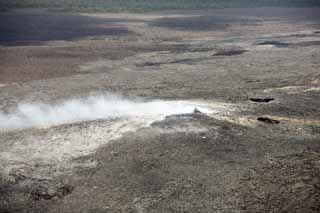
221 19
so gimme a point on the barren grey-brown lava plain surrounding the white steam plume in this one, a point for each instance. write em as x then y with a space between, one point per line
227 161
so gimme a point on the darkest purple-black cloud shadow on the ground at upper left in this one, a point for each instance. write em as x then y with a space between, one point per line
23 28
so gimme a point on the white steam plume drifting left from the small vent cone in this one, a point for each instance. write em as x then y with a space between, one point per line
92 108
